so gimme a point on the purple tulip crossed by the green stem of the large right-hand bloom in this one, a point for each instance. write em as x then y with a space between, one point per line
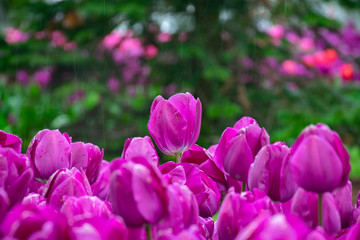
305 205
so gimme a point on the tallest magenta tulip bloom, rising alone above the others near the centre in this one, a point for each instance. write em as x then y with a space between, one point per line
175 123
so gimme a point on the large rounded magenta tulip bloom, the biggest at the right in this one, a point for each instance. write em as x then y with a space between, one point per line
319 160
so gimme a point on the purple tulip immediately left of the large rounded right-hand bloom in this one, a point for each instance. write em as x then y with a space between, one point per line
270 172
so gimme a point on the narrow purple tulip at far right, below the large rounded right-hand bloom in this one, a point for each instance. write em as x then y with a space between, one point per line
343 199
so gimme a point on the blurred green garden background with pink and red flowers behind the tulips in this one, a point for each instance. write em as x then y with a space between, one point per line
92 68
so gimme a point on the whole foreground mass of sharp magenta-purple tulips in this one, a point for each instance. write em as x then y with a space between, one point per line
242 188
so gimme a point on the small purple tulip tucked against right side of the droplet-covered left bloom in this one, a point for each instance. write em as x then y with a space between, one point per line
88 157
